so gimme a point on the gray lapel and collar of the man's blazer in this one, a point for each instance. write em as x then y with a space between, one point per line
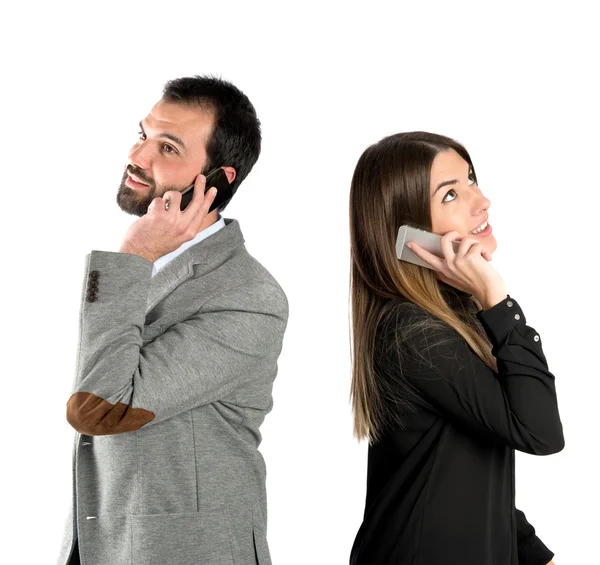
205 254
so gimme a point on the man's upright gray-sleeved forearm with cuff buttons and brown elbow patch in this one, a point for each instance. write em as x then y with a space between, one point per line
112 322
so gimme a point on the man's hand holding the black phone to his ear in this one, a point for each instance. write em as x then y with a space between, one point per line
161 231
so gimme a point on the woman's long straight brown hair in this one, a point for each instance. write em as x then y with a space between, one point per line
391 187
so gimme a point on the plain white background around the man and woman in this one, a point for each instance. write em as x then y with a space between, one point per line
516 83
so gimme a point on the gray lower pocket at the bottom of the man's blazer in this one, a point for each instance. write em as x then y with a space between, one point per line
186 538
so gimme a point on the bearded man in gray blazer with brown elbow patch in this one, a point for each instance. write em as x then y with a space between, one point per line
180 332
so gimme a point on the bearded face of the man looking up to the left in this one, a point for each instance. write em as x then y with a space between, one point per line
170 153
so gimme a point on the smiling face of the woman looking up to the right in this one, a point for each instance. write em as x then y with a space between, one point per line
458 204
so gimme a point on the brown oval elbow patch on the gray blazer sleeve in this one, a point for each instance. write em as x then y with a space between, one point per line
91 415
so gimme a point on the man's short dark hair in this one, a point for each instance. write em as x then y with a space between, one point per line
236 137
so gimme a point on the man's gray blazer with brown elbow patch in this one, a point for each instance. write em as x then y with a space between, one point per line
173 379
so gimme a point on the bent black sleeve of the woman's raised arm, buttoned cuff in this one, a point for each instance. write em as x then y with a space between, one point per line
517 406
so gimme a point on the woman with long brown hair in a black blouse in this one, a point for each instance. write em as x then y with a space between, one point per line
447 378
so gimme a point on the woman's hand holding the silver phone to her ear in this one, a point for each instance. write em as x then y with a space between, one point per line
468 269
